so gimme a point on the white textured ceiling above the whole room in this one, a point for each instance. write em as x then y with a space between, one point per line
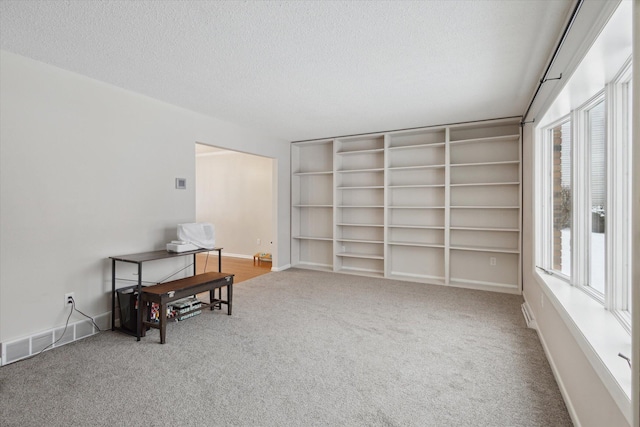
303 70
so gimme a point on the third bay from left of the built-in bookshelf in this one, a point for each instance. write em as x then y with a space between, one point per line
416 205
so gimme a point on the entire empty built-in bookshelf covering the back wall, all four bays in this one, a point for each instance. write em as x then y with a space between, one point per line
435 205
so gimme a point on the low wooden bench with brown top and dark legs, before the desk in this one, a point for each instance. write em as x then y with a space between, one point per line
165 293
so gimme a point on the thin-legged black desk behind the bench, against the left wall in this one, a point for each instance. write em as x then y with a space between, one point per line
139 259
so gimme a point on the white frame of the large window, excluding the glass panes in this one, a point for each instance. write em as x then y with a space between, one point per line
618 197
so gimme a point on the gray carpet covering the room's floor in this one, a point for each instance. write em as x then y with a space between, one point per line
304 348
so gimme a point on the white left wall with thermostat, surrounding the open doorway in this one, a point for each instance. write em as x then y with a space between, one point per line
87 171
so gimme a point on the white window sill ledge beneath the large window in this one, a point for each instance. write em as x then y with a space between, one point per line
598 333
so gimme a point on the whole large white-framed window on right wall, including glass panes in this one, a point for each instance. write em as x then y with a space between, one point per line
586 157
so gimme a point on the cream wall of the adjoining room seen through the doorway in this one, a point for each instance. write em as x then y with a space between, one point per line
233 192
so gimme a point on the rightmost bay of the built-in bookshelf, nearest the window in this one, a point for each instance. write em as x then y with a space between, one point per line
484 230
